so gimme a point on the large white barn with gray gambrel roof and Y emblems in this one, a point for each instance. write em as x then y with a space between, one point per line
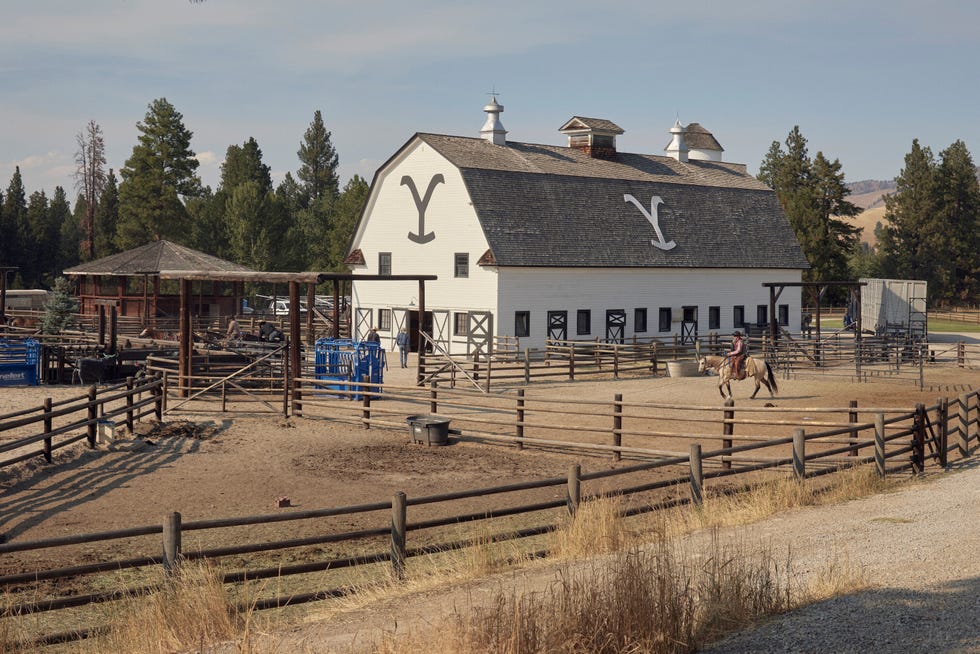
571 242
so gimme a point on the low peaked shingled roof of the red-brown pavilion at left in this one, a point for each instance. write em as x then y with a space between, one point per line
155 258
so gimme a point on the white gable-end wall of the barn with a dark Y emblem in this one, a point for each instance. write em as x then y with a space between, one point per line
392 214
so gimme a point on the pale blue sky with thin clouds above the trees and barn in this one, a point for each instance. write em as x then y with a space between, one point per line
861 79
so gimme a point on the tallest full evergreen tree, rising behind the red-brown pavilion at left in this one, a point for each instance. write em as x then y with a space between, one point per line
161 169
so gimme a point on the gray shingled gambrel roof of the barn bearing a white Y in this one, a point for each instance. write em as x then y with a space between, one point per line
543 205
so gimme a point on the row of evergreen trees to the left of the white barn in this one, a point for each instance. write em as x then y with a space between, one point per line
304 223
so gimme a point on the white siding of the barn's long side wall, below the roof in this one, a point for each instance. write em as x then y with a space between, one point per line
542 290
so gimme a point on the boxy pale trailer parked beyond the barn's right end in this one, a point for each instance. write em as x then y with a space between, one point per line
896 307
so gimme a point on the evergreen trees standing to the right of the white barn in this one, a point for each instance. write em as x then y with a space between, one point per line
932 219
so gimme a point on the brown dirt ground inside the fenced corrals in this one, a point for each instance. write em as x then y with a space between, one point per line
221 465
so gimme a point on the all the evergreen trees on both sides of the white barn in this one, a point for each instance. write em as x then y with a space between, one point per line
931 230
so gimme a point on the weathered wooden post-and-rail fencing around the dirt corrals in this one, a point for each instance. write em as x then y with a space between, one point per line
822 441
